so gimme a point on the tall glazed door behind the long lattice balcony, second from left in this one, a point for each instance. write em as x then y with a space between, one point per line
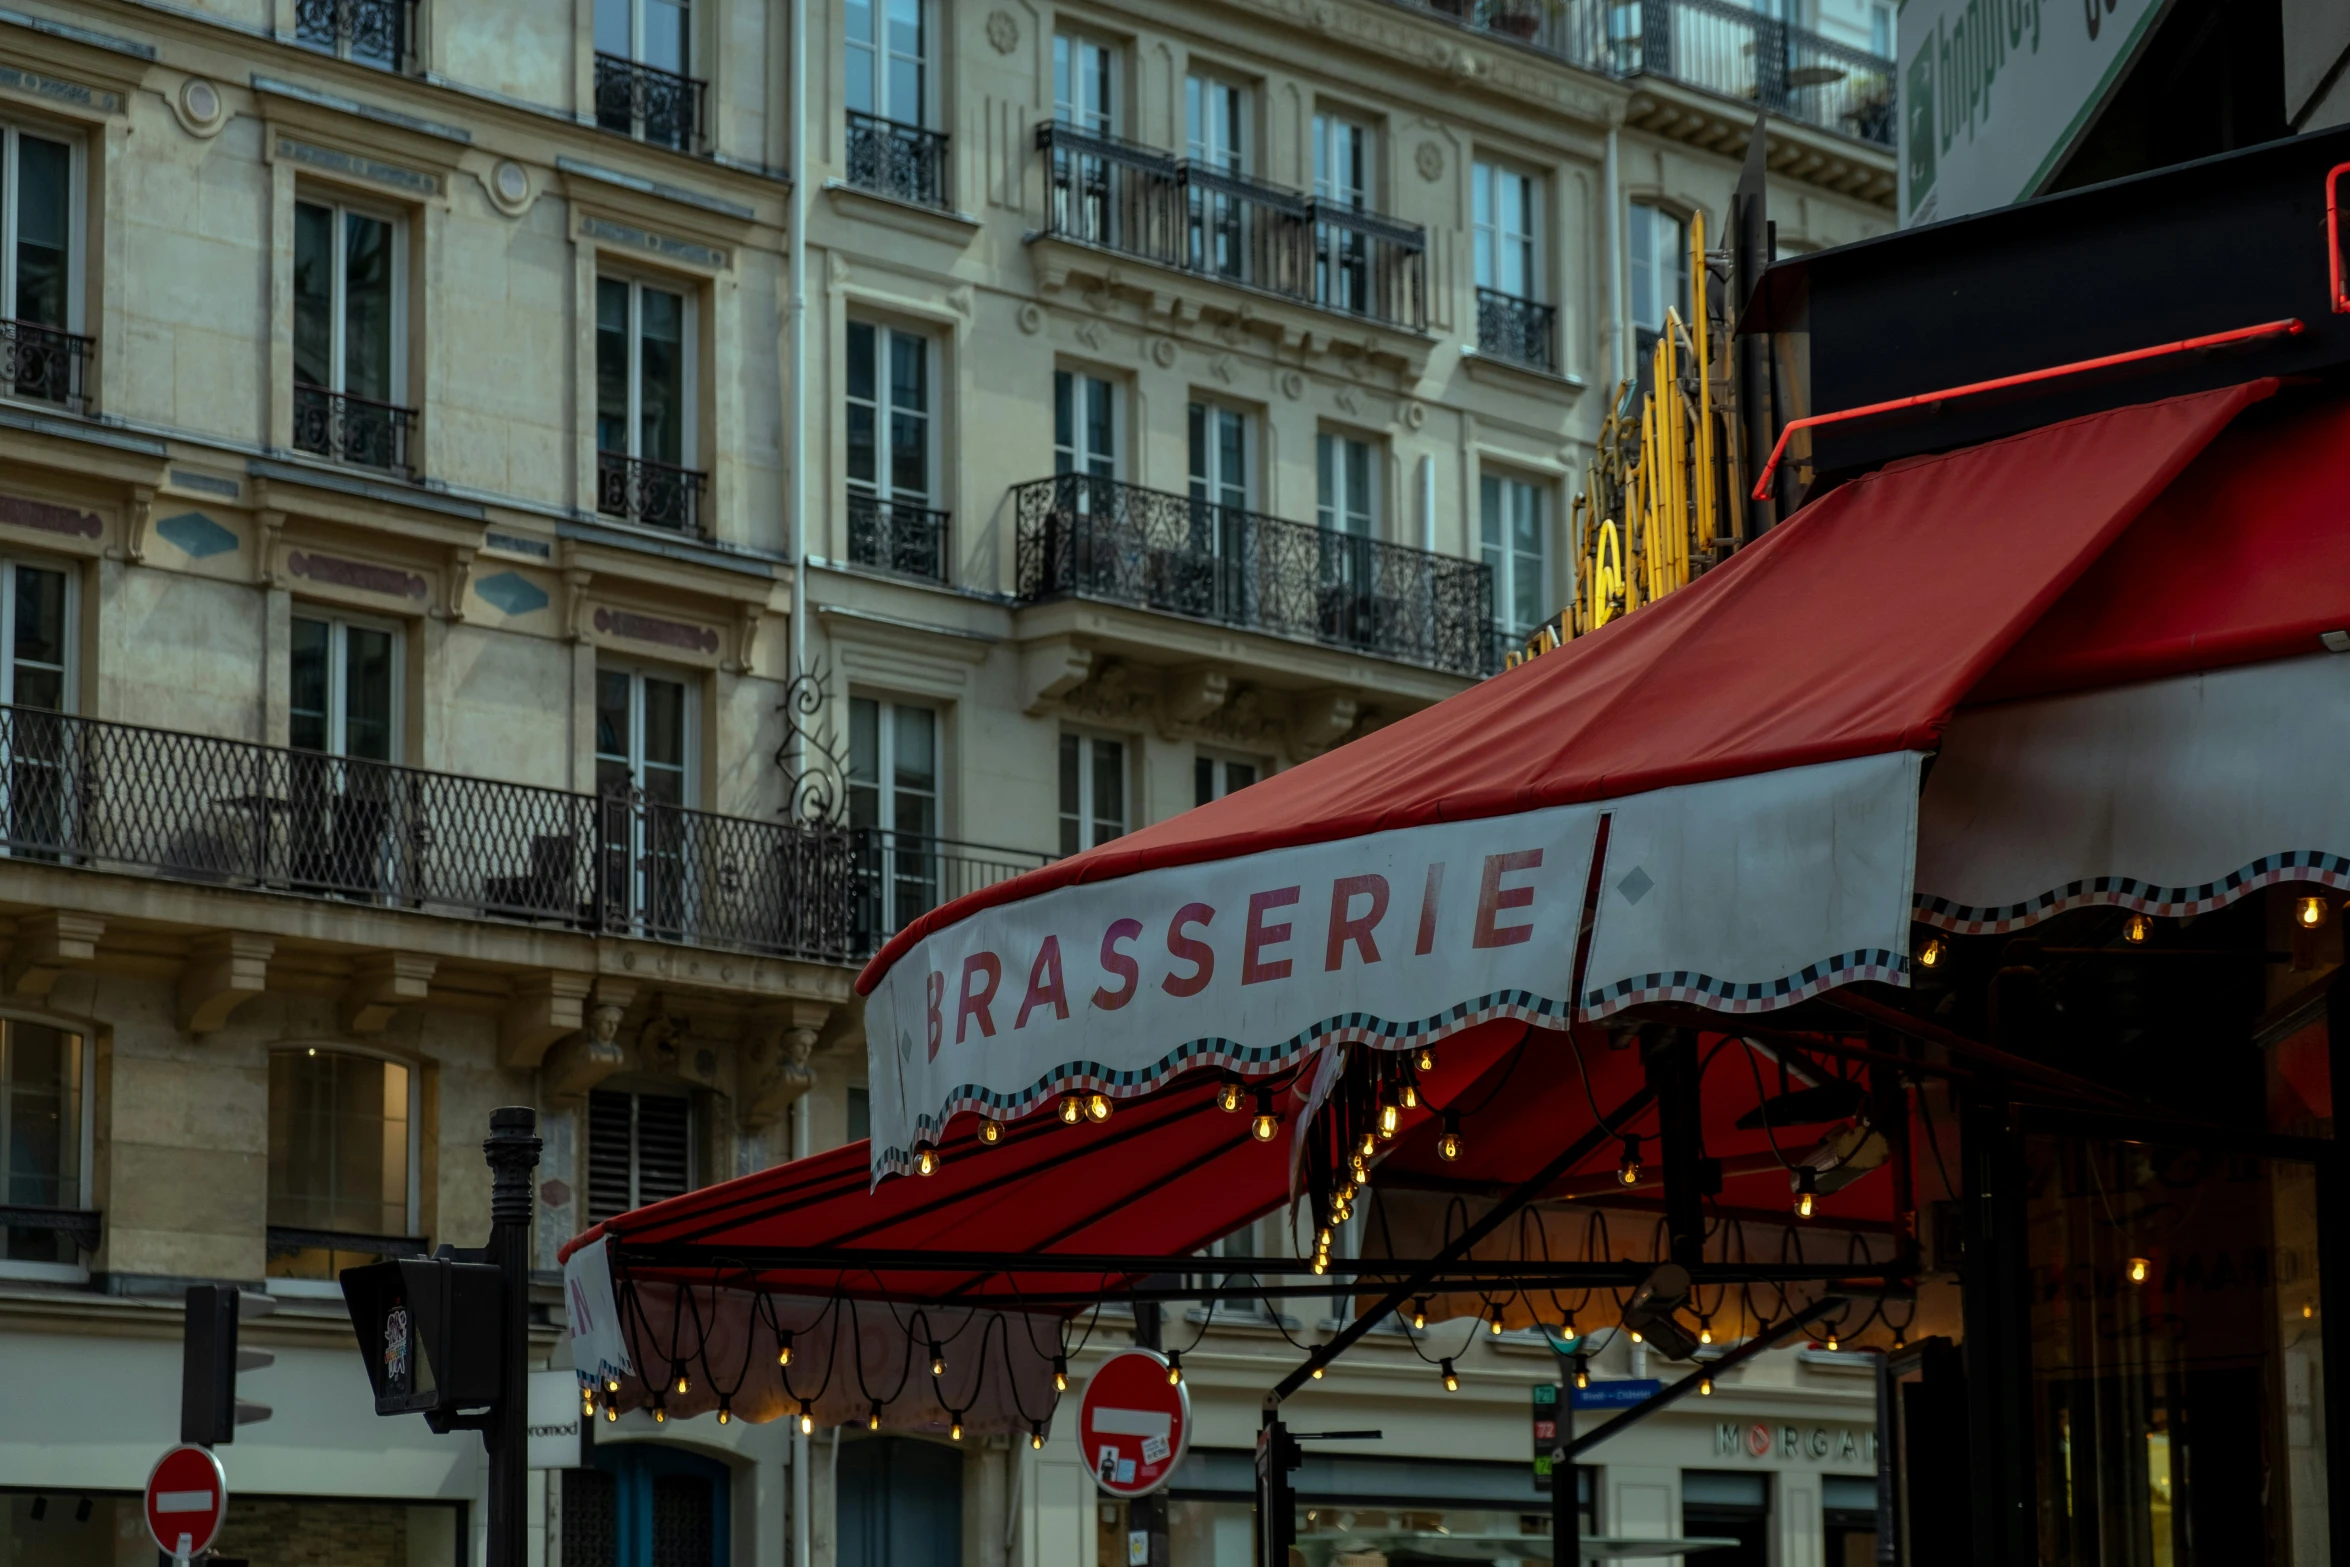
344 727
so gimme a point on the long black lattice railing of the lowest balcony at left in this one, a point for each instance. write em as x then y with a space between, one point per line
234 814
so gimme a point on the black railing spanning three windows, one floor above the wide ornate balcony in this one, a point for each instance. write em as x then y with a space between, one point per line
1202 220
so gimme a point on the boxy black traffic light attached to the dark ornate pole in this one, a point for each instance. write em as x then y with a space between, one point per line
429 1333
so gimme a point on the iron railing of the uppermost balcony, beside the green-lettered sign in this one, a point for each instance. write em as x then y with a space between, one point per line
1717 46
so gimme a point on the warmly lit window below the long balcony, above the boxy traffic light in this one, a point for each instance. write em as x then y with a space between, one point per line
342 1159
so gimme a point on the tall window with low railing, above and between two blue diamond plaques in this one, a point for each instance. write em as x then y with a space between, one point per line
349 335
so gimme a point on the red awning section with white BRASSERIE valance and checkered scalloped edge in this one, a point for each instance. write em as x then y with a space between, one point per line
1728 783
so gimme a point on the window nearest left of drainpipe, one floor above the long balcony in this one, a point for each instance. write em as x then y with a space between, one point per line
645 403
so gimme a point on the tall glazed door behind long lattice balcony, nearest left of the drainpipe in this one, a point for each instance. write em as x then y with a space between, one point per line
645 776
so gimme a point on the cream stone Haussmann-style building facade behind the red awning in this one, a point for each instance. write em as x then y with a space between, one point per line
408 574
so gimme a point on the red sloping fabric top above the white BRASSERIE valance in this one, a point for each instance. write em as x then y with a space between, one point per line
1853 631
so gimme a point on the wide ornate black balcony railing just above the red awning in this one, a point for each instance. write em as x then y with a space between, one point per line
1101 539
